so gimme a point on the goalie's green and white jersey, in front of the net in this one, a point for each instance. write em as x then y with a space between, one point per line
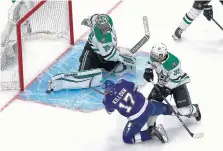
104 44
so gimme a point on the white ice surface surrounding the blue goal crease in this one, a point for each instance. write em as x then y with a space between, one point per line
27 126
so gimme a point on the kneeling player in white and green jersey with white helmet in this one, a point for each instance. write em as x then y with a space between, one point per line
171 80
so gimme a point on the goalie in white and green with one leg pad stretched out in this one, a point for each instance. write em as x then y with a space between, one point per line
100 54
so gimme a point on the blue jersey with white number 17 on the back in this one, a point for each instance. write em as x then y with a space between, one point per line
125 99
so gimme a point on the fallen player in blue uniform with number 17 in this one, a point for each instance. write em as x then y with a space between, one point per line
130 103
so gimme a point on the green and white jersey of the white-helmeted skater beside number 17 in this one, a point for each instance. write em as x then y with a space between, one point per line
169 71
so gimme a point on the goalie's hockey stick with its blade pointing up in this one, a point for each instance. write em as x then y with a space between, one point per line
136 47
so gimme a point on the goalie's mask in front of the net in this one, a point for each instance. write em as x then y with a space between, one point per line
102 22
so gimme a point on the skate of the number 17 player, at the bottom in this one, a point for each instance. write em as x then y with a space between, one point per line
158 132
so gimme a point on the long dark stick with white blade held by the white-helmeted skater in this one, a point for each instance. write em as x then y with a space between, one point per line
194 135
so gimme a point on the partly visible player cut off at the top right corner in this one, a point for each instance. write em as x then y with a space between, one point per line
194 12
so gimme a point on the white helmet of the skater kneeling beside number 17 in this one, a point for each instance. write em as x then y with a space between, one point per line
159 52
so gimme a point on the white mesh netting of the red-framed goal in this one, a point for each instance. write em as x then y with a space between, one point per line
50 21
